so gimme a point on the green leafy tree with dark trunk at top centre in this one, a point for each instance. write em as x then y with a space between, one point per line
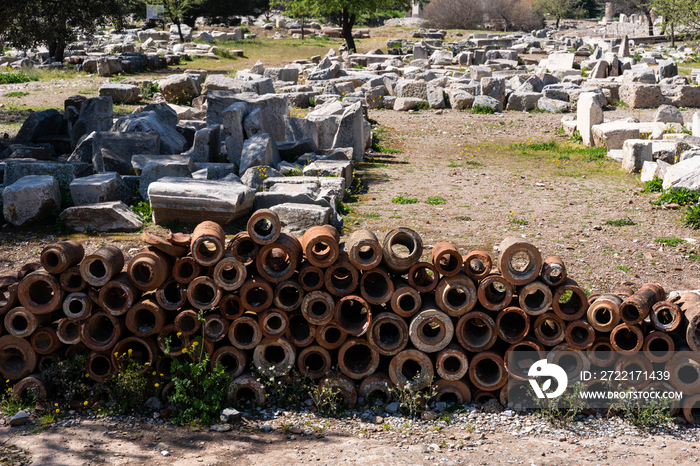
348 11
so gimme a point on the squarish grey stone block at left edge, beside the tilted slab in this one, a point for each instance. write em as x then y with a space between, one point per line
30 199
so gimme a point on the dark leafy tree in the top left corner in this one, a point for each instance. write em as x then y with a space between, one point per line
56 23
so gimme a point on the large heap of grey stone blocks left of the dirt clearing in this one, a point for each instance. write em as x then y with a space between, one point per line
231 153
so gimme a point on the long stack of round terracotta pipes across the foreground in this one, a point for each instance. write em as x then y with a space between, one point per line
371 309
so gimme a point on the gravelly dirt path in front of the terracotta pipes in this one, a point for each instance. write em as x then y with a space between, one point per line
111 443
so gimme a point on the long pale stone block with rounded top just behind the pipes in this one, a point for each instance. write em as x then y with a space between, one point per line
195 201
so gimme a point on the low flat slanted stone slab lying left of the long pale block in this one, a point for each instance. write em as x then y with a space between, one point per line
103 217
